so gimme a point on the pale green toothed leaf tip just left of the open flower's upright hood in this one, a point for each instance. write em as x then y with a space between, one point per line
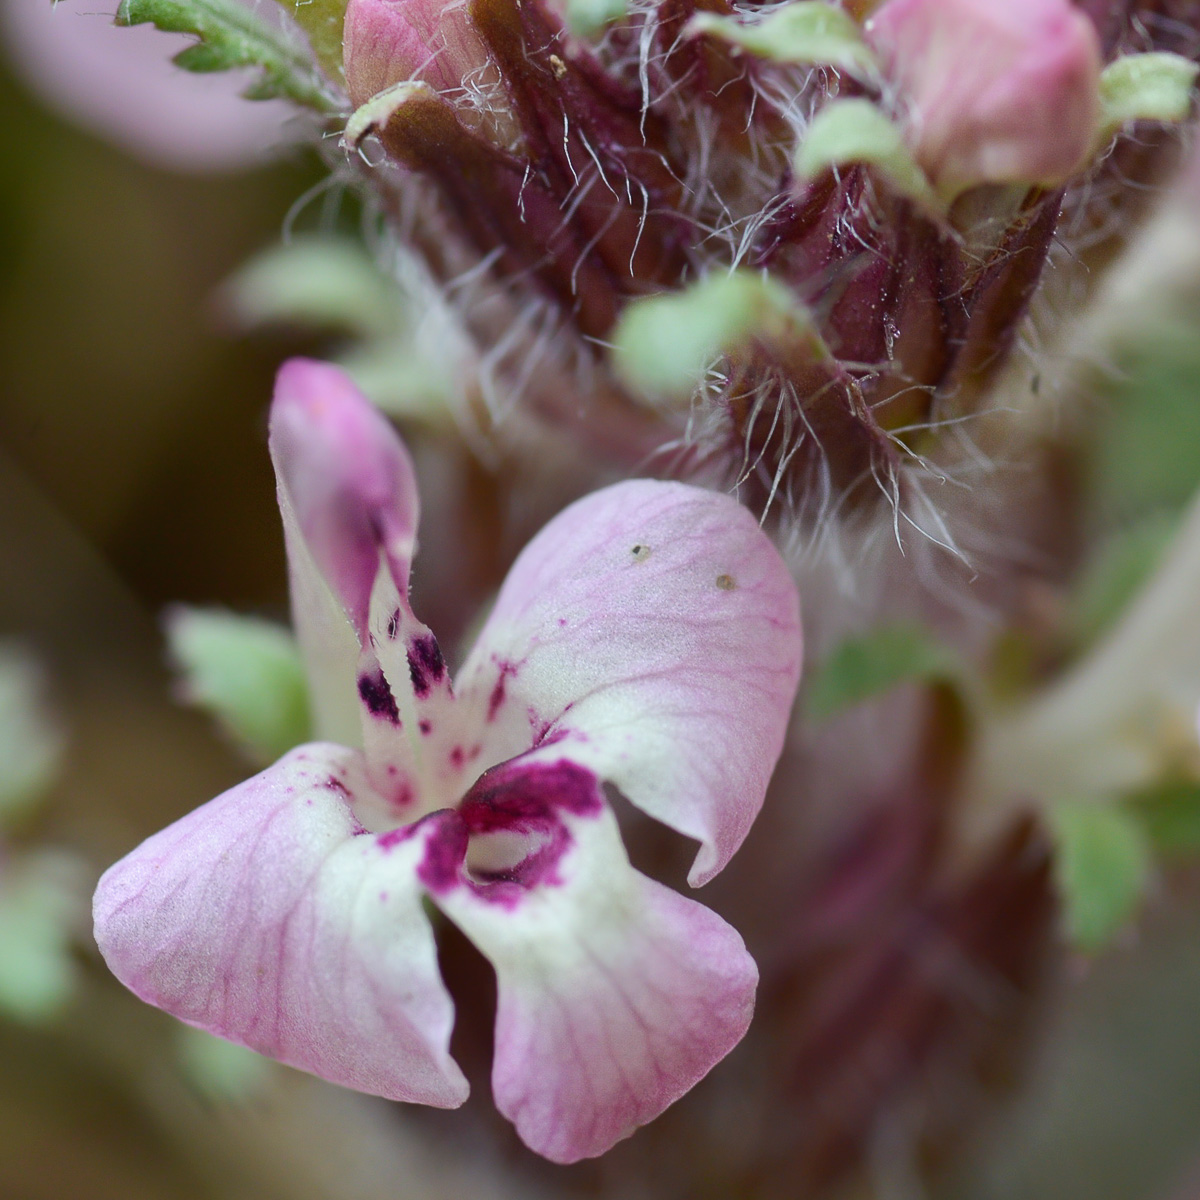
247 673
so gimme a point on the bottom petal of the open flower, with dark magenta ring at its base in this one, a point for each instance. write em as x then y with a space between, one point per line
616 995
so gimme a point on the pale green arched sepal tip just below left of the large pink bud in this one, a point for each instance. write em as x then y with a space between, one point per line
849 133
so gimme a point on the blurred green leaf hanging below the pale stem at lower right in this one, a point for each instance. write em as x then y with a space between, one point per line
1102 868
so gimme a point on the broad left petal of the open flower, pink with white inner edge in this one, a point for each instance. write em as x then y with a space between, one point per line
272 919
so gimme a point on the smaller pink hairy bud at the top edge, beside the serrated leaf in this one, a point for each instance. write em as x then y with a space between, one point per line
388 41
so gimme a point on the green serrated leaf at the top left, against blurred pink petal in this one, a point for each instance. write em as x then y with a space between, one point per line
231 37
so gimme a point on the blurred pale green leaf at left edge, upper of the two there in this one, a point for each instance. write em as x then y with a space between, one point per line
31 741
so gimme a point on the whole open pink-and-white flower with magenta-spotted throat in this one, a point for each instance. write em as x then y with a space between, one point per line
649 638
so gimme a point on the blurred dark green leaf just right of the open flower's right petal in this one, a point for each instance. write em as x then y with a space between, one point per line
862 668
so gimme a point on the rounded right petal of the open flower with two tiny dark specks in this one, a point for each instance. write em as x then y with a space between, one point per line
650 633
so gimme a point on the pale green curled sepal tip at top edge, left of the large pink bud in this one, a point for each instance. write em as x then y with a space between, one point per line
806 33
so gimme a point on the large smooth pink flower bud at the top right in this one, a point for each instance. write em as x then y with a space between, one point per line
995 92
